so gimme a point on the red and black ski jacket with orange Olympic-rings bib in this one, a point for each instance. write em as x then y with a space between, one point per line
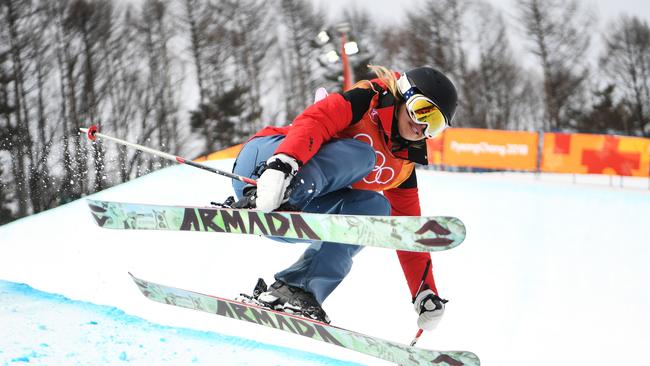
366 114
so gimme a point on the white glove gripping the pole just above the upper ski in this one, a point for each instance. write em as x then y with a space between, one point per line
273 183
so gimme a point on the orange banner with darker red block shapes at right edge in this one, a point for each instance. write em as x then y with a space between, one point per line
595 154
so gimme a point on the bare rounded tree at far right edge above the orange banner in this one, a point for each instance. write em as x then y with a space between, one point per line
626 61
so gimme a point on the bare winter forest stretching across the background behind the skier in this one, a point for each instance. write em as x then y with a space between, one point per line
194 76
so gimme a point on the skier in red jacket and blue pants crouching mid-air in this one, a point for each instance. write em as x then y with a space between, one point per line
334 158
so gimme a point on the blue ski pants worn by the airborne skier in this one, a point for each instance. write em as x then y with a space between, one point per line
321 186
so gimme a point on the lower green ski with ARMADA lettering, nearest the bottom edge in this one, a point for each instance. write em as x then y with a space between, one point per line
383 349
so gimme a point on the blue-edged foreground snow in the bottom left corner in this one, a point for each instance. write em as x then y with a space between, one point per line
63 332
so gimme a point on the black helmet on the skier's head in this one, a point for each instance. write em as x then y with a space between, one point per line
434 85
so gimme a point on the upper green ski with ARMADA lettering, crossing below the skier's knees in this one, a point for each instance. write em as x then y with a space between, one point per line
412 233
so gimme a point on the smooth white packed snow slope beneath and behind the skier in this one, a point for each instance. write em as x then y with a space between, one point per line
550 272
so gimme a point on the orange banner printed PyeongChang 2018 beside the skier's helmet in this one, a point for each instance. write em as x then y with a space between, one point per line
492 149
